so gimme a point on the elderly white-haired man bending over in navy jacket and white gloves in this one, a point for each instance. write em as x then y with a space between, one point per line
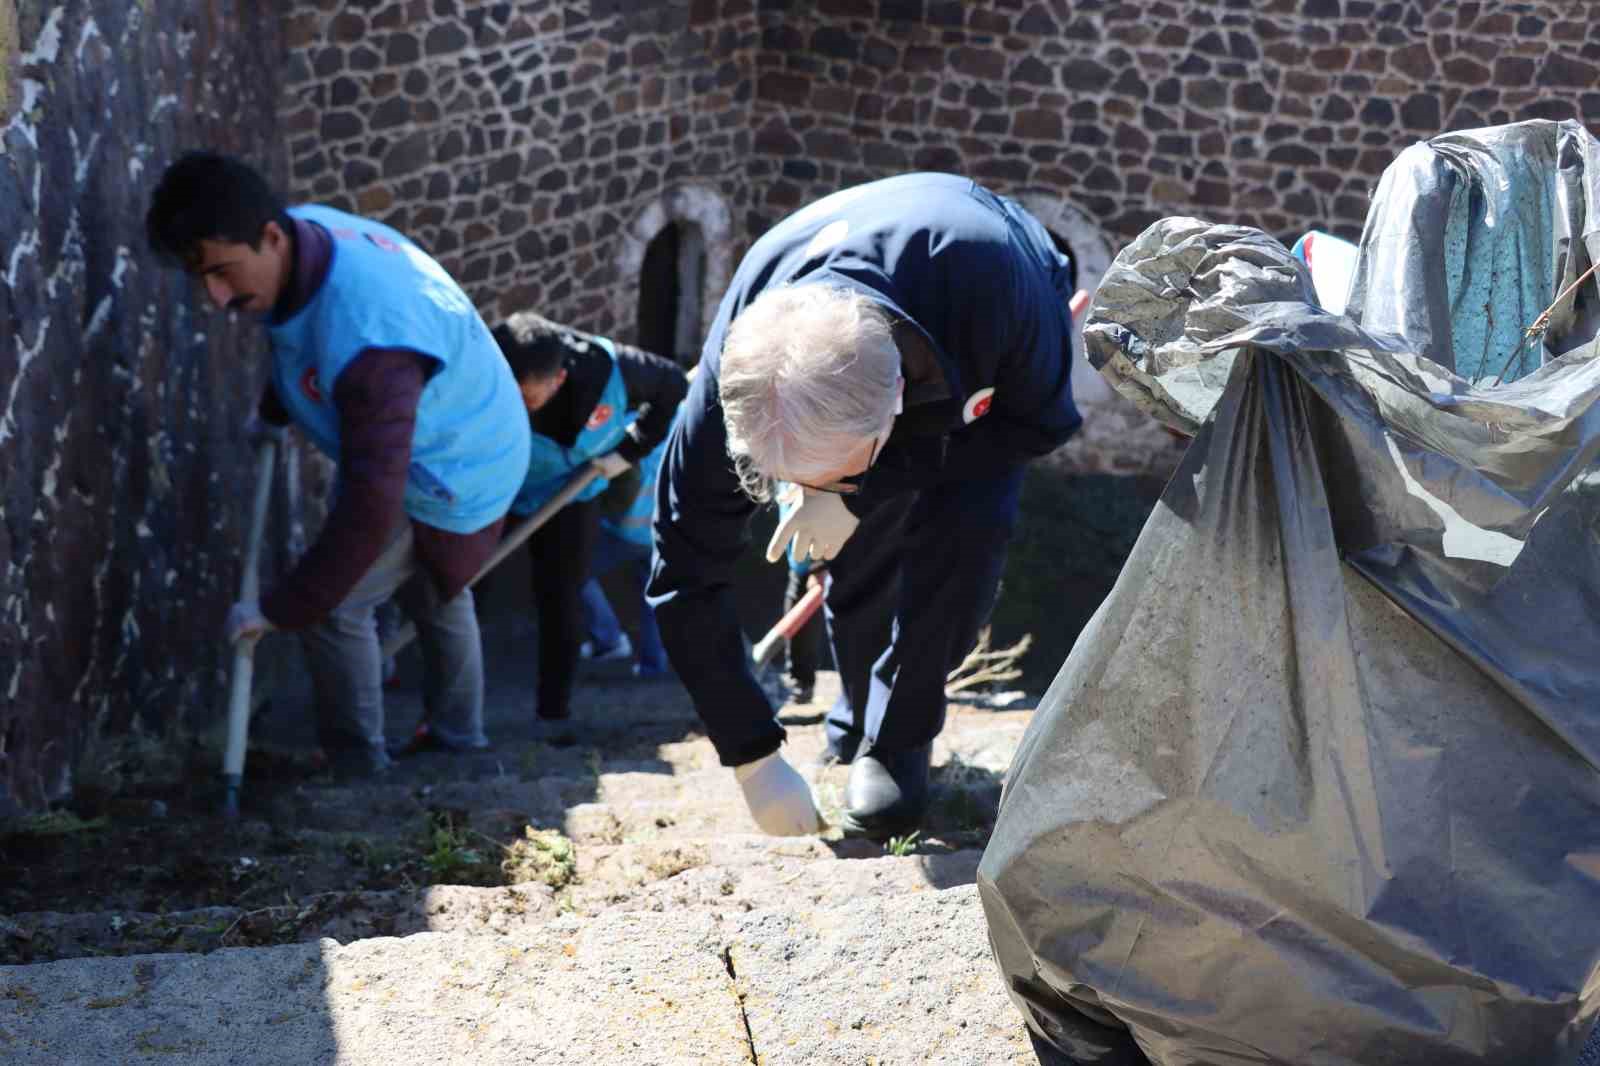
884 364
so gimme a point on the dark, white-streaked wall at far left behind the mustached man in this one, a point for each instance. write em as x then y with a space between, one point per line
121 467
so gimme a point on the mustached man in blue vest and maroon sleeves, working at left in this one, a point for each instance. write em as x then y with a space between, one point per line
385 364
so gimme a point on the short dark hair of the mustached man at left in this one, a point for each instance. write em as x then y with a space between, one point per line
207 196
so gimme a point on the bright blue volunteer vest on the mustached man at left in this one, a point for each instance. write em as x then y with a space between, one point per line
471 439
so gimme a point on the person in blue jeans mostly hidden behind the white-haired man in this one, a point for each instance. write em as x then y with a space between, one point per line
625 542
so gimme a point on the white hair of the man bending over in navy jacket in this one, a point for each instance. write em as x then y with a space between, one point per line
809 372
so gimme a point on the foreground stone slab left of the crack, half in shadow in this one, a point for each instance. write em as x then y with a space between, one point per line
625 988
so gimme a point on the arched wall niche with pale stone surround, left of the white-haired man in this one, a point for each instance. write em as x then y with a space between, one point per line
679 255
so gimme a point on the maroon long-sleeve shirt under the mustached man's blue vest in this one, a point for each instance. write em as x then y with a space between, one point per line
377 398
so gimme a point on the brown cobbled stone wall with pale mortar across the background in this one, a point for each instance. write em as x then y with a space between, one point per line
540 146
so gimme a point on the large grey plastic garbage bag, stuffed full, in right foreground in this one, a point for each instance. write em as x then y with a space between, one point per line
1319 782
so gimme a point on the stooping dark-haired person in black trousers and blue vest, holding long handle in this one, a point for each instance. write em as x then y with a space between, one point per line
586 399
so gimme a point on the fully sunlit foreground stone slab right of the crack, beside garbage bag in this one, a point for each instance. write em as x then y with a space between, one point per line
894 982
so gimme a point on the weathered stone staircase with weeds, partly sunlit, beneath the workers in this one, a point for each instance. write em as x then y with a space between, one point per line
674 932
